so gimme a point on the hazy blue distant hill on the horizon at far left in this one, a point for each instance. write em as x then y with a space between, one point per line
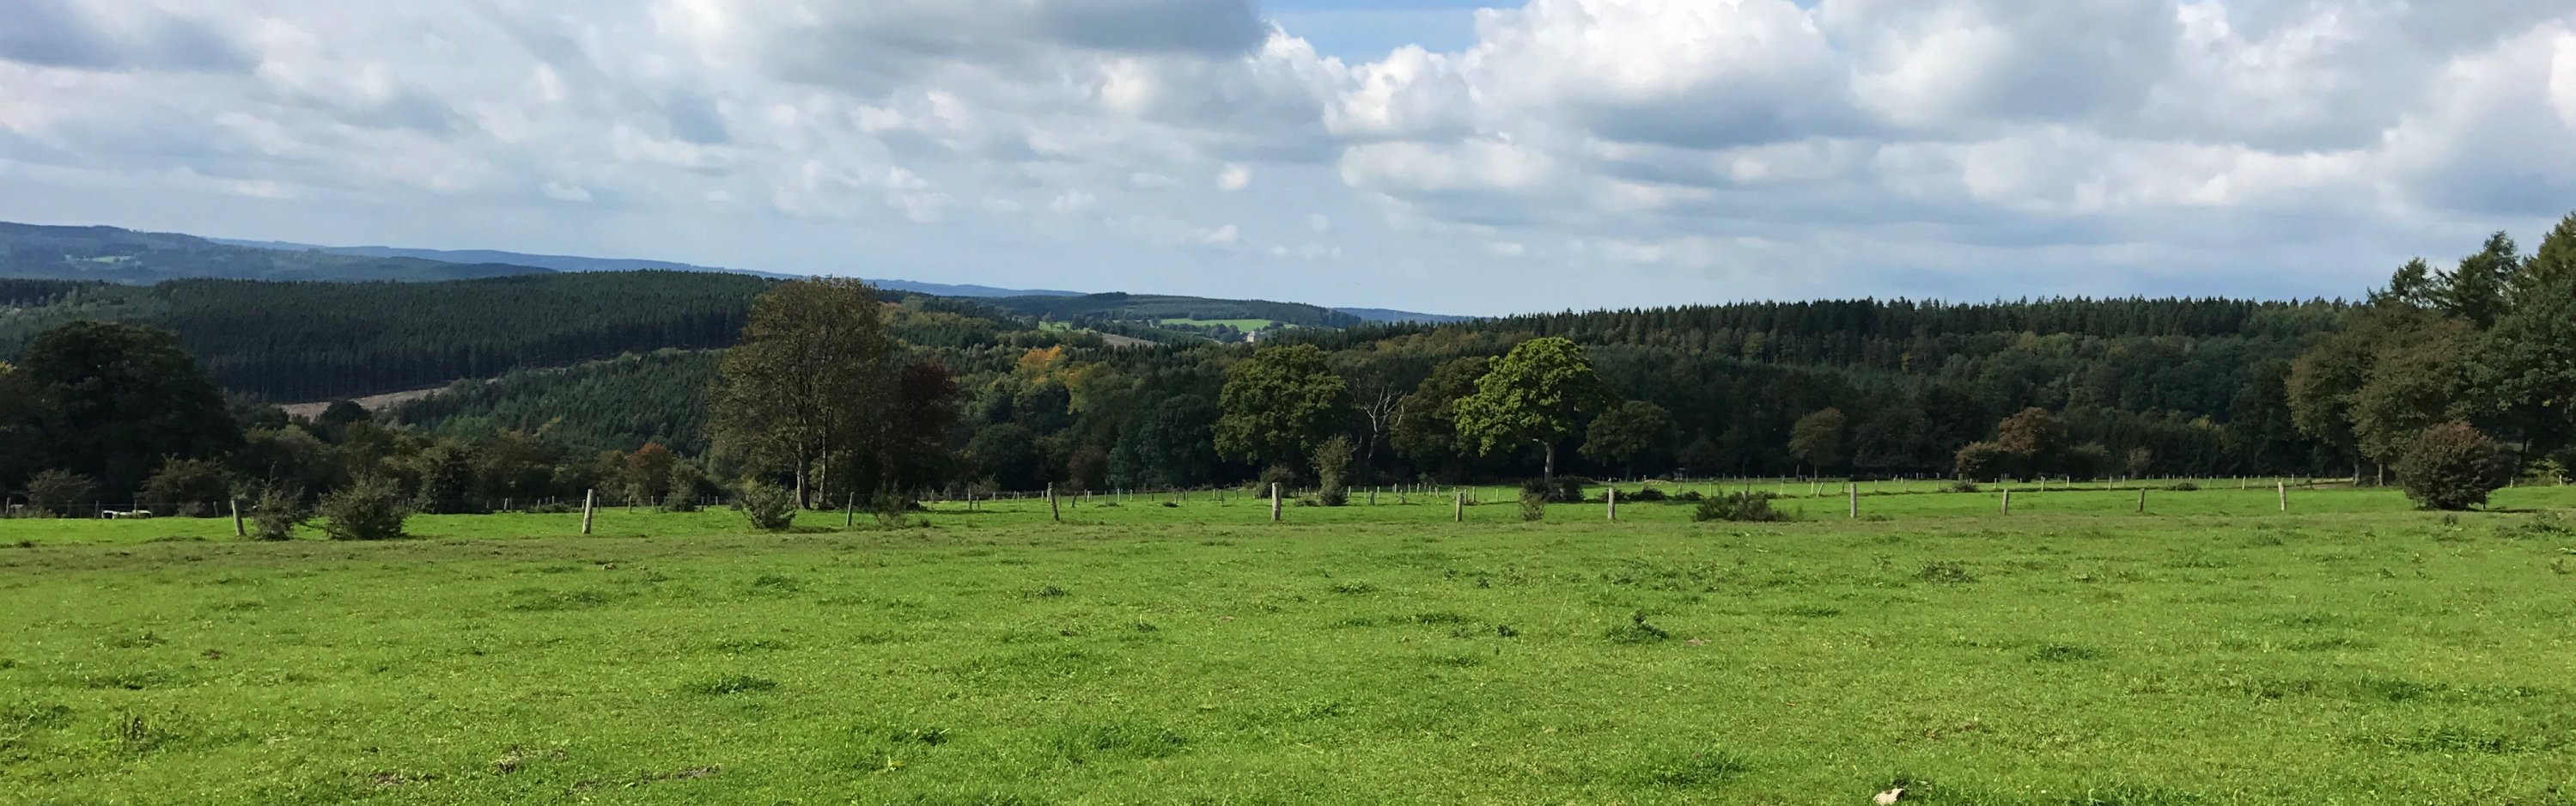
125 256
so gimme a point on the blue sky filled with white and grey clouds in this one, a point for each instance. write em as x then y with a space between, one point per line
1421 156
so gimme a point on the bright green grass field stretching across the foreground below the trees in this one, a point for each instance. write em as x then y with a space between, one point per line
2072 653
